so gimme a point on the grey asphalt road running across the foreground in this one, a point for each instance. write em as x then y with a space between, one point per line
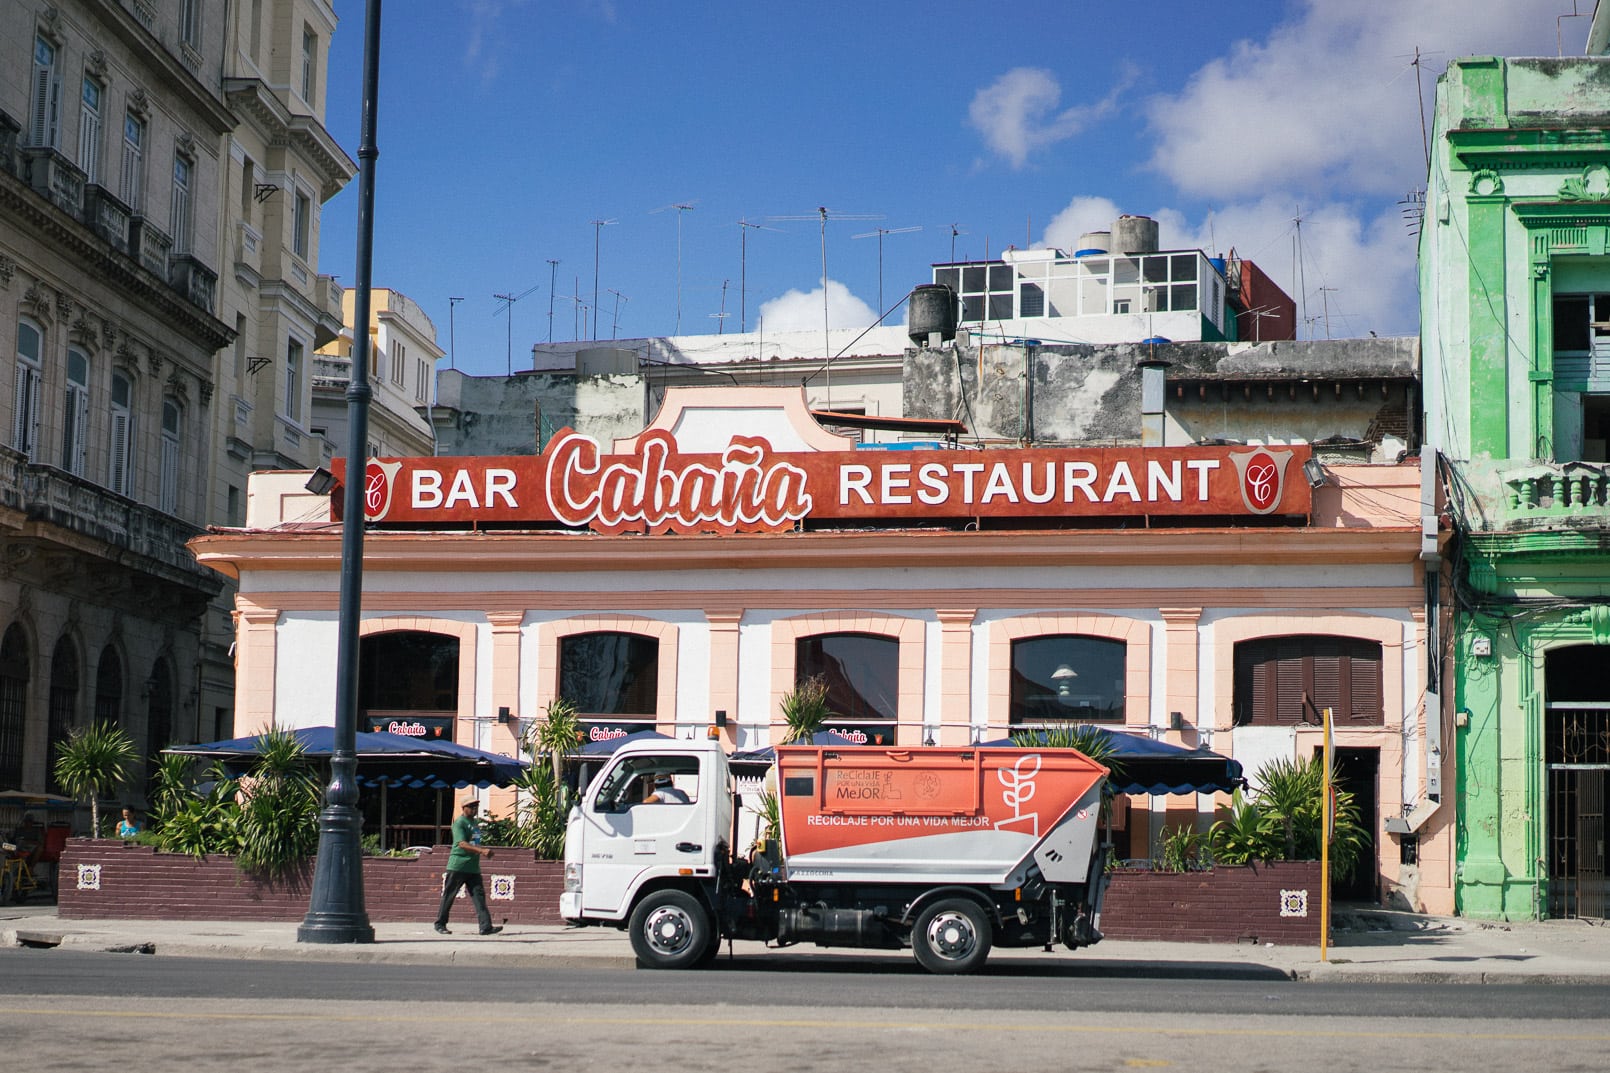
70 1011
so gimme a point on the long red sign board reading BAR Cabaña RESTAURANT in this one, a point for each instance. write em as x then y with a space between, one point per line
749 487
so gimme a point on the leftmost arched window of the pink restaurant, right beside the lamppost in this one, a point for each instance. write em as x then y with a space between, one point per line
410 677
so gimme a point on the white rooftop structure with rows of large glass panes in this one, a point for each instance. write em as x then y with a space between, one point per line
1092 297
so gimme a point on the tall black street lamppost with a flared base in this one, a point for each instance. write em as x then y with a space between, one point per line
336 913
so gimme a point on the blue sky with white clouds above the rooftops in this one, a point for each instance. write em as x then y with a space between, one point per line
508 126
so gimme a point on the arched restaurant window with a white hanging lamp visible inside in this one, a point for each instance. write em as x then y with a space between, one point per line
1067 677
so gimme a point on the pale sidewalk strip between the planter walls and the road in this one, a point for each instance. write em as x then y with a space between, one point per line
1369 947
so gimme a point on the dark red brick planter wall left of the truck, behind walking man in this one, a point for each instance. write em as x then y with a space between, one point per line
107 879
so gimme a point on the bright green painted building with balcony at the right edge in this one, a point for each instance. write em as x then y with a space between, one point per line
1516 338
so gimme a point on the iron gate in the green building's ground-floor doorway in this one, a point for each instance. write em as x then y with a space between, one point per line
1577 750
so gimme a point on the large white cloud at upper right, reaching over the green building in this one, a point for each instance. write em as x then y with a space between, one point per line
1329 101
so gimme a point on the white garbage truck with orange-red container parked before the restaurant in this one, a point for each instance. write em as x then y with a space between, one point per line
944 851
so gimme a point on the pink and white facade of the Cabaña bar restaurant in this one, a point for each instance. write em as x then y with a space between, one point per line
1186 624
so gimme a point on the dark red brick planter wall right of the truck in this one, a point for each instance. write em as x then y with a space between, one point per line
1220 906
